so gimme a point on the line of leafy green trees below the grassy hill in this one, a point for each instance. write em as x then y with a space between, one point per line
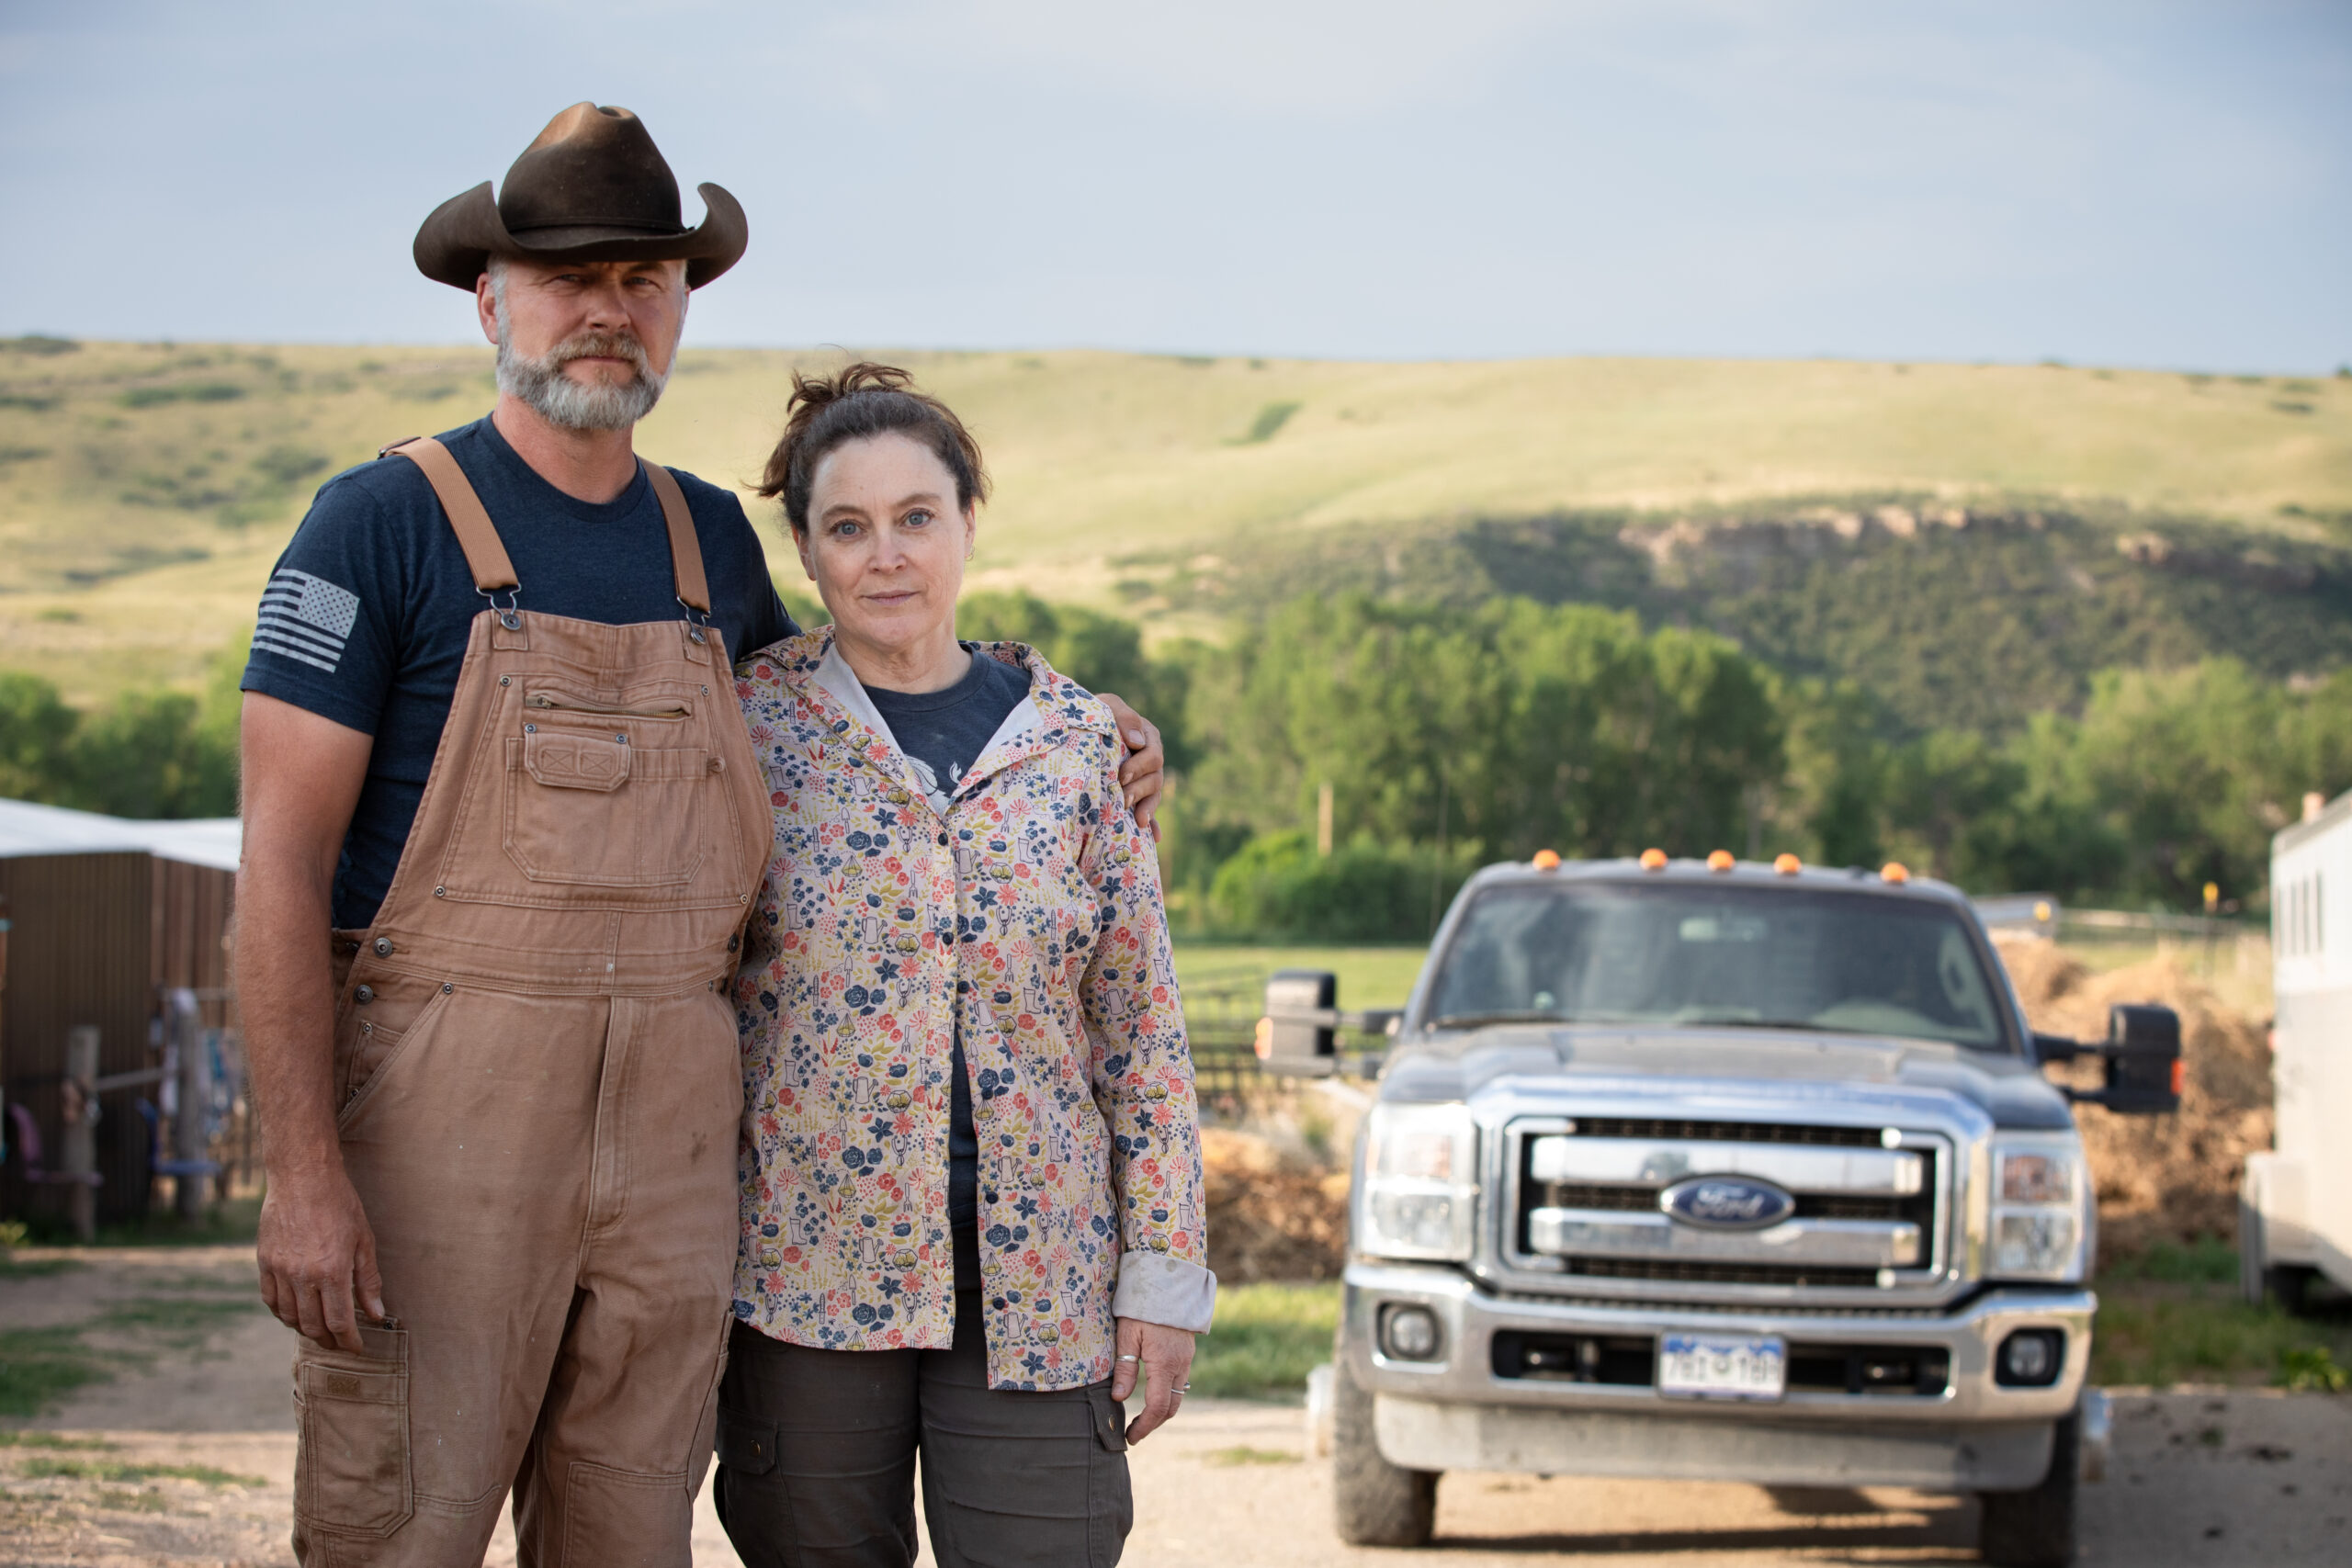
1455 735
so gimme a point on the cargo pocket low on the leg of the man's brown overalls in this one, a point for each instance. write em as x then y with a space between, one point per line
354 1470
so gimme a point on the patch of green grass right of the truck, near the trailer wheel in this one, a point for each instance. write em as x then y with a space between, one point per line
2165 1334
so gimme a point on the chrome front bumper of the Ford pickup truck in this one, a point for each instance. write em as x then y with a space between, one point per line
1457 1412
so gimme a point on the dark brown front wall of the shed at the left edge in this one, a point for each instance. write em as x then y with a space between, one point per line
81 932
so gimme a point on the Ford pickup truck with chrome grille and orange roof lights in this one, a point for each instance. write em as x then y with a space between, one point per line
1718 1172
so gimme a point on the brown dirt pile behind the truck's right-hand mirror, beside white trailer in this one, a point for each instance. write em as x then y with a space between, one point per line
2158 1177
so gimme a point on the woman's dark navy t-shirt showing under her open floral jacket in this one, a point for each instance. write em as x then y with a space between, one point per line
944 735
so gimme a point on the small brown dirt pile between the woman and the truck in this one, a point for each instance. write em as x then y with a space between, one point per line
1274 1212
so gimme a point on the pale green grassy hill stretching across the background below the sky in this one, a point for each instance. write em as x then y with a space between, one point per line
147 488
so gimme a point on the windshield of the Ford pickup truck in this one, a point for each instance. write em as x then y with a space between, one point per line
1718 956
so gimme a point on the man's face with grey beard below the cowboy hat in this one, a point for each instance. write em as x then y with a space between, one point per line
587 344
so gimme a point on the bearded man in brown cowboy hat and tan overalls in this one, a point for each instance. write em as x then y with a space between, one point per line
502 826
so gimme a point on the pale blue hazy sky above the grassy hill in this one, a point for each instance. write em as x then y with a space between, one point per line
2109 185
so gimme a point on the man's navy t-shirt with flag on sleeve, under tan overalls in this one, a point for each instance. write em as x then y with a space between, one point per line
370 608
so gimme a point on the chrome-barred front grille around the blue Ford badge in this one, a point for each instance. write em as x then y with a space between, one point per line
1857 1214
